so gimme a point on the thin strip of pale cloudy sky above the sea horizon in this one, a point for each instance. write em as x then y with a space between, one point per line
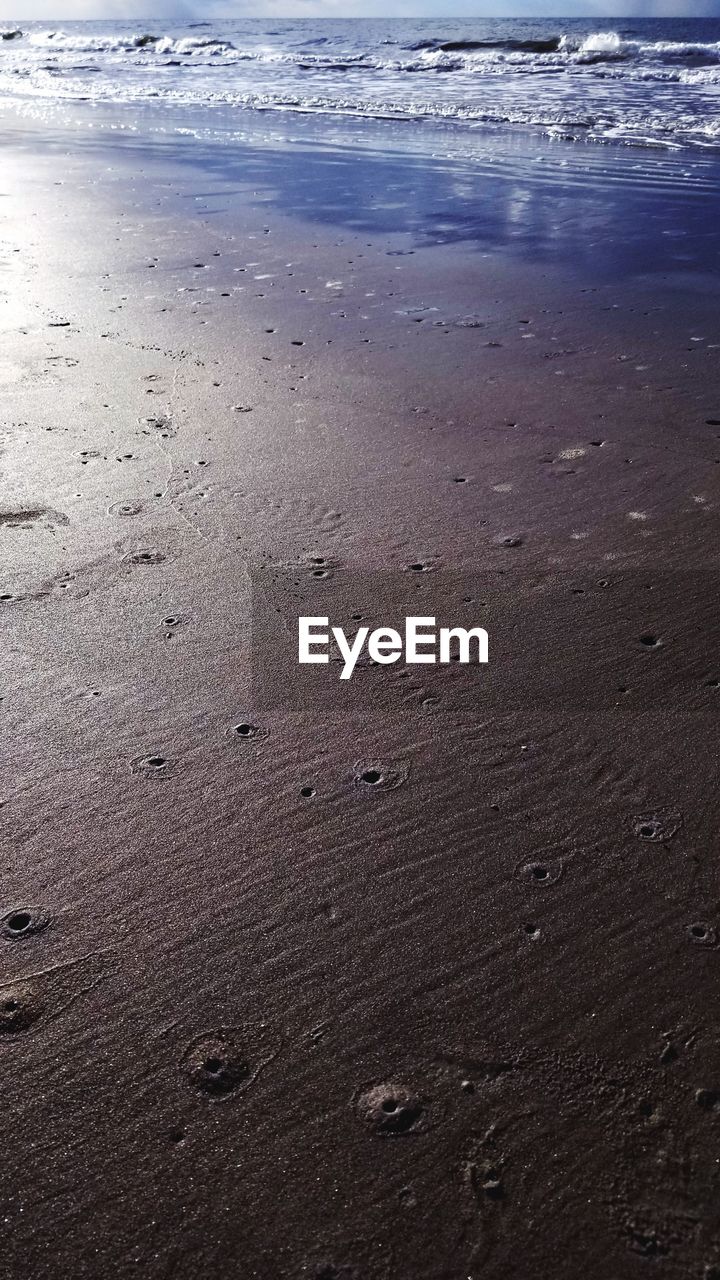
67 11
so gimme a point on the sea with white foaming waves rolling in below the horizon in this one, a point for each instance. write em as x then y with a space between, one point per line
632 83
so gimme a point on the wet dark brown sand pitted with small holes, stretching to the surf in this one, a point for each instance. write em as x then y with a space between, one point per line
461 1022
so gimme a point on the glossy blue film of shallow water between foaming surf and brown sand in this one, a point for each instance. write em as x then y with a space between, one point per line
600 213
